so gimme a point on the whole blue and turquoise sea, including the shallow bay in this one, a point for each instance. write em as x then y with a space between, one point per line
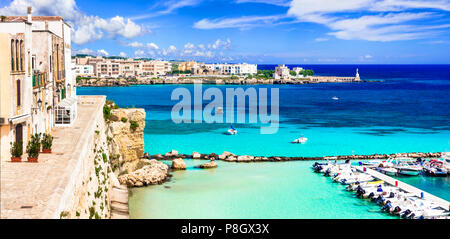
404 108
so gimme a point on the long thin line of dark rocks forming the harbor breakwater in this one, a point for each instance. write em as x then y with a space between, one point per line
230 157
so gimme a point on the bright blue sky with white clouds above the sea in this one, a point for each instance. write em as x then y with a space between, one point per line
256 31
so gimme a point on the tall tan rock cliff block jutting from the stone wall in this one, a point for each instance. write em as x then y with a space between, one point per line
126 137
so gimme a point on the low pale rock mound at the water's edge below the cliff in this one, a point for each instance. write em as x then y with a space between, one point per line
154 172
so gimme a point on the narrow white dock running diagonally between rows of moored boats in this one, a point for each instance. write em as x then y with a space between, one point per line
405 187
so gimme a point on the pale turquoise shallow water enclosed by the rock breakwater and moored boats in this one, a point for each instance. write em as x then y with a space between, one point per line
253 190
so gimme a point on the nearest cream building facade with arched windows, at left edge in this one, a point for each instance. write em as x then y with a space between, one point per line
15 84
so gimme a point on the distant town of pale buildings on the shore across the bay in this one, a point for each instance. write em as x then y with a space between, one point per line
119 71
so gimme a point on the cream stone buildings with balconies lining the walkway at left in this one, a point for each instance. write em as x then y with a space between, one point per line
35 76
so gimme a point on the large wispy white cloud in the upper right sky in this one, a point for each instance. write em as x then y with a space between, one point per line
375 20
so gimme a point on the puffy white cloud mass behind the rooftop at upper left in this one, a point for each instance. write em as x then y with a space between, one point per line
86 28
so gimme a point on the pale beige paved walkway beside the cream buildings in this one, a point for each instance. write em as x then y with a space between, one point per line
33 190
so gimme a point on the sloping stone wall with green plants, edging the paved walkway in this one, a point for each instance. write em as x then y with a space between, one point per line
89 192
